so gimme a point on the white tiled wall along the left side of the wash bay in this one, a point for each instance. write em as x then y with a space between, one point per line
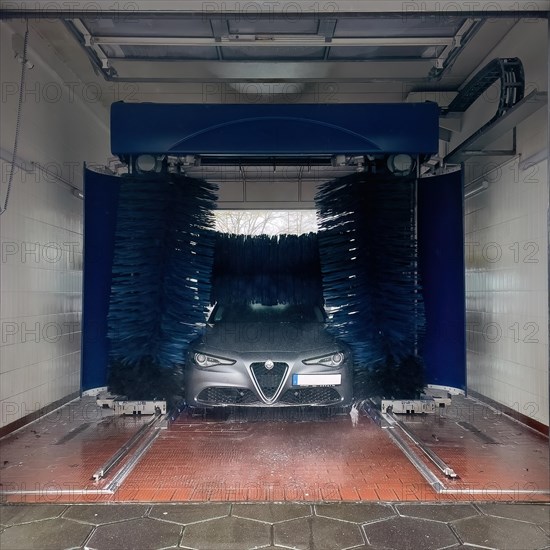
41 233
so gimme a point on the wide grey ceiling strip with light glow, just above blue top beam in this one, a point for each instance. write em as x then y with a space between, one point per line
273 71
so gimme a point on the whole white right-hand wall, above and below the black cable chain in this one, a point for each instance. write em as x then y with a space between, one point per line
506 237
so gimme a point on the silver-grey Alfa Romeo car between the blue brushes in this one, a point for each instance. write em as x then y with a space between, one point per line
268 355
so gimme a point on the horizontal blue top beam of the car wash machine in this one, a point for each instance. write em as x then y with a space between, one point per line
271 130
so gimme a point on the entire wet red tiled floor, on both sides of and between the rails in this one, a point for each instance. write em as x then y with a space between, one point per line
238 458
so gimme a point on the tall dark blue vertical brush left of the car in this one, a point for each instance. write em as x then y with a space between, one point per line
160 284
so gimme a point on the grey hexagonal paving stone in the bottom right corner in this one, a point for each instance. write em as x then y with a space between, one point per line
492 532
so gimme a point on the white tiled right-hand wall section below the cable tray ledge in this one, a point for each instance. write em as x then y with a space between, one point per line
507 292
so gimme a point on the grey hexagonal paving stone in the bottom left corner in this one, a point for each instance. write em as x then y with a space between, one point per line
45 535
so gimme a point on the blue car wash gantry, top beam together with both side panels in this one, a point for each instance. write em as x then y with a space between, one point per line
298 131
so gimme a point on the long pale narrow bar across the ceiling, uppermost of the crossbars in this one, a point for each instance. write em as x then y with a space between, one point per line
269 41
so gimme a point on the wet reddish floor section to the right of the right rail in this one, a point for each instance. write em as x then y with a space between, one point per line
490 453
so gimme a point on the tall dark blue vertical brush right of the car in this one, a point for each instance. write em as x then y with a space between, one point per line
368 250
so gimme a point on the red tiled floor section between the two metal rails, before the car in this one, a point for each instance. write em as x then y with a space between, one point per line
196 460
